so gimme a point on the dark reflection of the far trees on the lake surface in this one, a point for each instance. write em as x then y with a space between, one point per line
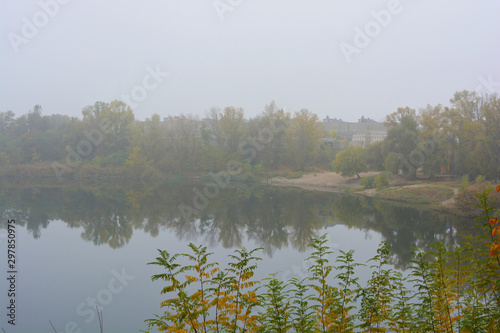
272 217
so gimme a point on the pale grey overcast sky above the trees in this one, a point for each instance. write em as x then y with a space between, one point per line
341 58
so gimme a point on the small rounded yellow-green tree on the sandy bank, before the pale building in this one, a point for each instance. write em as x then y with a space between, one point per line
350 161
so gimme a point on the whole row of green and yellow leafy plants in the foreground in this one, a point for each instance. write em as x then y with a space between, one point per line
455 289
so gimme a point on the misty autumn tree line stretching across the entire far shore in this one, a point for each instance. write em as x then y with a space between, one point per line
460 139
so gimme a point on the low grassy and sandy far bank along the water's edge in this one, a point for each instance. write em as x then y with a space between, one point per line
441 194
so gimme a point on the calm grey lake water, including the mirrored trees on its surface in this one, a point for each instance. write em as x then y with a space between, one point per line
81 248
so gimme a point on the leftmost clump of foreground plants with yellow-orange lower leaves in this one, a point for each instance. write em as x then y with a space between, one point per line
221 303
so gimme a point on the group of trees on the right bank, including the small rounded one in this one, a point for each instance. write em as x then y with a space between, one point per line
462 139
